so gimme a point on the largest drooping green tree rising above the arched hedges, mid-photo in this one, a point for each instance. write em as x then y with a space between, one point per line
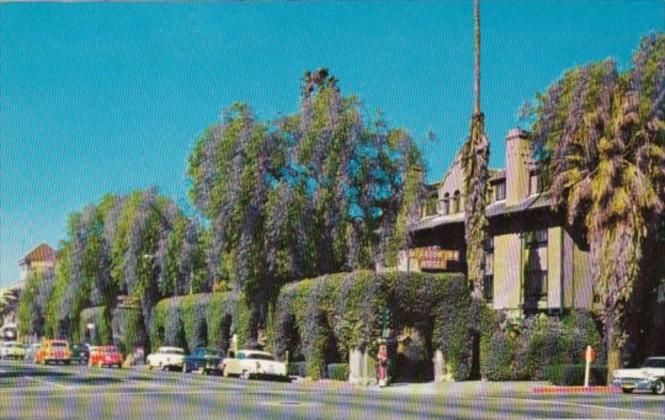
312 193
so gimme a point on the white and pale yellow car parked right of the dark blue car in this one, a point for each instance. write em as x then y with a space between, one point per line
249 364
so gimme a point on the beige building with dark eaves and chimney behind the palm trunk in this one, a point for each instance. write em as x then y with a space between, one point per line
534 263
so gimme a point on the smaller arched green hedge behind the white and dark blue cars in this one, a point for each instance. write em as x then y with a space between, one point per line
191 321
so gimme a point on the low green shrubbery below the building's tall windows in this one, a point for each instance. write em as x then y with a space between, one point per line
521 349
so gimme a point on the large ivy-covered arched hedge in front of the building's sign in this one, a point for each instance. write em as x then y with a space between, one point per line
345 309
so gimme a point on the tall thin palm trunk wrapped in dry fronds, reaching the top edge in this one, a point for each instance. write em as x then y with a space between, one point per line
475 161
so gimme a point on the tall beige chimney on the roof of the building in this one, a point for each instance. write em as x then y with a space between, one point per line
518 155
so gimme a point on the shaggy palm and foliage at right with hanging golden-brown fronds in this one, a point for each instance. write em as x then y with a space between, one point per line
601 135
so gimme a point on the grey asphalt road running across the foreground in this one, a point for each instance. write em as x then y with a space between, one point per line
79 392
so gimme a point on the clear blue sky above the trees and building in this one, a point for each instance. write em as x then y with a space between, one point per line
98 98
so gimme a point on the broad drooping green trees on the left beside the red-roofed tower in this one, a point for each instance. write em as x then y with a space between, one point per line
140 244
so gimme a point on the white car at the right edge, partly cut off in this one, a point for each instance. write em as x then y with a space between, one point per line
650 377
